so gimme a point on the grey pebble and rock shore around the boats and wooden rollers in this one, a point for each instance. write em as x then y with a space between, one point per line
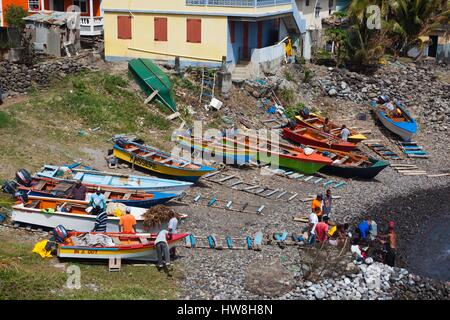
408 200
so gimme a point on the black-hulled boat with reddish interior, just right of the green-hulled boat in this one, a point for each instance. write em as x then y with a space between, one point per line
351 164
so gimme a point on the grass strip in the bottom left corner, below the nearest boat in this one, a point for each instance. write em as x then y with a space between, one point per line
25 275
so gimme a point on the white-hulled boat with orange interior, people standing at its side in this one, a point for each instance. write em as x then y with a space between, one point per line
51 212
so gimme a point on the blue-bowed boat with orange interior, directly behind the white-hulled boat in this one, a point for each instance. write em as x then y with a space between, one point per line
47 187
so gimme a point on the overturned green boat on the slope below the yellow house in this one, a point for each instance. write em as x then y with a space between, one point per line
151 78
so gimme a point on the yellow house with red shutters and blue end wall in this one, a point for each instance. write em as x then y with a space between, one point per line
199 32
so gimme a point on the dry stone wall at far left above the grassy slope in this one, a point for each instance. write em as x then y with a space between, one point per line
18 78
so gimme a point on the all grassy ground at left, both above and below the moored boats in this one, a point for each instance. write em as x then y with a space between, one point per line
44 128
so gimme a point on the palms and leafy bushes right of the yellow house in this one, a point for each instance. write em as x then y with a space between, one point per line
402 25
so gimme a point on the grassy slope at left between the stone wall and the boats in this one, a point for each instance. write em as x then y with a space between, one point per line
46 127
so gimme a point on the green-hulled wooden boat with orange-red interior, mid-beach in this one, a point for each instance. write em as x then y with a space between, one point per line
294 159
